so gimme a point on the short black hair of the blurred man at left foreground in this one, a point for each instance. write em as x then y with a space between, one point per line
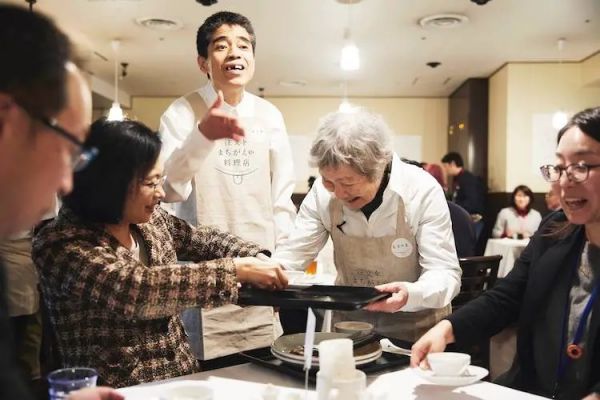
34 53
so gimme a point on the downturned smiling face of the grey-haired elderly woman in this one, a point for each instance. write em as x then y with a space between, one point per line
350 187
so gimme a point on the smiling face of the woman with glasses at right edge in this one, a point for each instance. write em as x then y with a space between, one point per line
580 201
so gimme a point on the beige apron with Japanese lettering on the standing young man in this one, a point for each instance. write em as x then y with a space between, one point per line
235 180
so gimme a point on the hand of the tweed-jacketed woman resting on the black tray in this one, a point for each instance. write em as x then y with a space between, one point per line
264 274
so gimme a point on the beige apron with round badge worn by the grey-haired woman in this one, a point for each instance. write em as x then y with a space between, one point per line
364 261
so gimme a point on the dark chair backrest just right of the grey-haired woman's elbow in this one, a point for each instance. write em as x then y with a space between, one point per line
478 275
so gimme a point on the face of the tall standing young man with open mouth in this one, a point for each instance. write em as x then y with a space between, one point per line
230 61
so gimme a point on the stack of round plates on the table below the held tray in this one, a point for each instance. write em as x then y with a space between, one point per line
283 346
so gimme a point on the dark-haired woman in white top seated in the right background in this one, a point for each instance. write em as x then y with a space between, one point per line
519 220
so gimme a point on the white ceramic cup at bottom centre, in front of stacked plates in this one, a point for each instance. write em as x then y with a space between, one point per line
354 388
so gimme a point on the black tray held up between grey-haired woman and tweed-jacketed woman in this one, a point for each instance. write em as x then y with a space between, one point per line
317 296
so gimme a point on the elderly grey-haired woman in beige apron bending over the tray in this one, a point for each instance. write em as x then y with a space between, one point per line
389 223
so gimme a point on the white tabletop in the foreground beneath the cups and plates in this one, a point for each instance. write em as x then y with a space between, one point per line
249 380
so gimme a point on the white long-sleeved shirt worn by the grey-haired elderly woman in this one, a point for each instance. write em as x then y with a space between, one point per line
426 212
